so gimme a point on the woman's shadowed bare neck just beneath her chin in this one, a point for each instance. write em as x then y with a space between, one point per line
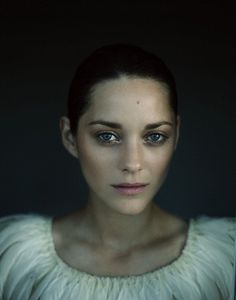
121 232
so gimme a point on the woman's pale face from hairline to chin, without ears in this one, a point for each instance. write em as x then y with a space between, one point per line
126 137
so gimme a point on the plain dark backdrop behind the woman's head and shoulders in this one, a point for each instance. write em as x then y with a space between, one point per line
42 42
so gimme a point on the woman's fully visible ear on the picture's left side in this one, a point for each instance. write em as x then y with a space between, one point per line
68 139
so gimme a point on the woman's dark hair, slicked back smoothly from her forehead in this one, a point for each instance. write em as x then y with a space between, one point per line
111 62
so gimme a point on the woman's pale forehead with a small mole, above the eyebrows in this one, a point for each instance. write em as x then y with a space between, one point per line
139 99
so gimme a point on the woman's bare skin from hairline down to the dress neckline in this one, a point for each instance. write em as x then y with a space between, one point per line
117 234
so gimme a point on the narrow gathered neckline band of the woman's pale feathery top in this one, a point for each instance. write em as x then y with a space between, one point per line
76 272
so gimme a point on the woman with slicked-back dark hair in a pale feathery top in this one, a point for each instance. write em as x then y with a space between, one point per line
123 127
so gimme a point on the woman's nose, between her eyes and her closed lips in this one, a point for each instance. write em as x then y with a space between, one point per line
131 159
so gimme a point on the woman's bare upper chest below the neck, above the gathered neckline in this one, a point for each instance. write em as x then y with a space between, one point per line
101 260
